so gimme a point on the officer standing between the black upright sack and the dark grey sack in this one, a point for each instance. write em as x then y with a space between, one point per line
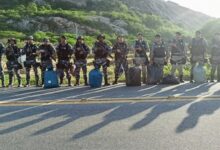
141 58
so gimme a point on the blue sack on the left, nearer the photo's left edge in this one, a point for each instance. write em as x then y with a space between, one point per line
50 79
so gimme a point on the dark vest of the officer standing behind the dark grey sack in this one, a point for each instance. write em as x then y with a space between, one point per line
159 50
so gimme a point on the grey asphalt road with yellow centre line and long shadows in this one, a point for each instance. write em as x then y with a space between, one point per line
157 124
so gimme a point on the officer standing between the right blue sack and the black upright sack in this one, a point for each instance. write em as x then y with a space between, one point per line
120 49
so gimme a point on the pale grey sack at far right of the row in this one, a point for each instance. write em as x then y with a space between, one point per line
199 74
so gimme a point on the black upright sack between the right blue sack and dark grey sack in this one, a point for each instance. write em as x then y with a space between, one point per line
133 77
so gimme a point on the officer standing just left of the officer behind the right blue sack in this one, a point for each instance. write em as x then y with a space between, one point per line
81 51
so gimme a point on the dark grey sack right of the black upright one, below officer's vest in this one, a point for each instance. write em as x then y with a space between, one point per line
155 74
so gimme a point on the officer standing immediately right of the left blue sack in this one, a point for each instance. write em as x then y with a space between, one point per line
64 54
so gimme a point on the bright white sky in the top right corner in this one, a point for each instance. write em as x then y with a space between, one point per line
209 7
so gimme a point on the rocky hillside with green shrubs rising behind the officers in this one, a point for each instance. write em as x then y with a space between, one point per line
127 17
